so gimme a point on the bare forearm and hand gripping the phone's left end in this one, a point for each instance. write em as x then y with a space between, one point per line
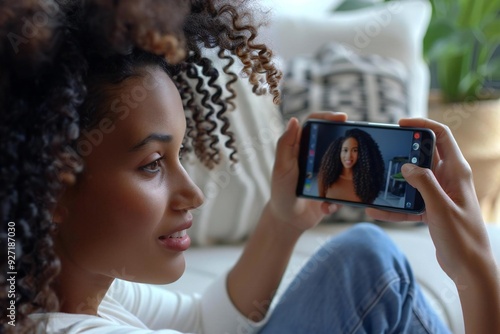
257 274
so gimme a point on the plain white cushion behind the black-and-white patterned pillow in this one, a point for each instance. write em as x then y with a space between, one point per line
394 30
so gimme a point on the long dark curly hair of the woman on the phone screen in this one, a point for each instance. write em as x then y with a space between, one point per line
368 172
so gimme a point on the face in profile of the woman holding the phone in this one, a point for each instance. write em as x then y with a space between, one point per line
128 213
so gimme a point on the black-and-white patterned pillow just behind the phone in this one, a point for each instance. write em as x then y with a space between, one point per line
366 88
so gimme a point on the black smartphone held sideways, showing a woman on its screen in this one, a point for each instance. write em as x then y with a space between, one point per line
359 164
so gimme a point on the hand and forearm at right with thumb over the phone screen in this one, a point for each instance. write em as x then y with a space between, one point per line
457 229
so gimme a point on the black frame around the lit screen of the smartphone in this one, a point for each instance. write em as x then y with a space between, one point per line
425 160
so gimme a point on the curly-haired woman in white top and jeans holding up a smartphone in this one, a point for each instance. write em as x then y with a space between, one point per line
100 201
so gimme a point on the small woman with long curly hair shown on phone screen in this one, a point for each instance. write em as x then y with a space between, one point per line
352 168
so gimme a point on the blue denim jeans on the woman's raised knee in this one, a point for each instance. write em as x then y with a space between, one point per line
358 282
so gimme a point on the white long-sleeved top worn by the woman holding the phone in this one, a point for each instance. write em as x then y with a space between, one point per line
135 308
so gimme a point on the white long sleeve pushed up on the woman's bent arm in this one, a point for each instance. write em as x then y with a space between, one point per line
156 308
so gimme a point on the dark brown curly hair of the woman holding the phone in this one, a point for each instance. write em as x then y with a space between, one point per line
60 61
